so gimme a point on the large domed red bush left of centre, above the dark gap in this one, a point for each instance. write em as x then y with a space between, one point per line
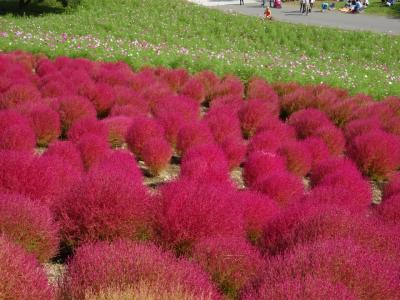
105 205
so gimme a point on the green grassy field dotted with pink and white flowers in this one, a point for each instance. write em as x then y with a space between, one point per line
178 34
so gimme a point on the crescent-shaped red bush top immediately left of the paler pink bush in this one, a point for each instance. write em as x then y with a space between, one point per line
87 126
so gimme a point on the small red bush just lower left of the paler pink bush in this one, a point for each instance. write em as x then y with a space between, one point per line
93 148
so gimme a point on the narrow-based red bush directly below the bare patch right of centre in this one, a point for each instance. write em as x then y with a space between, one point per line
257 210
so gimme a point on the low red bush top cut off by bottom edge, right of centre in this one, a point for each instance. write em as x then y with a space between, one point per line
309 287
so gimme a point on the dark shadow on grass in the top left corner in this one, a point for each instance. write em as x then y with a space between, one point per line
35 8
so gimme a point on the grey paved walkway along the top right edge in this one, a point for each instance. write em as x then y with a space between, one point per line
290 13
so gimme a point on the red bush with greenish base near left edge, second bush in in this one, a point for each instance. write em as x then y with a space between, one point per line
44 121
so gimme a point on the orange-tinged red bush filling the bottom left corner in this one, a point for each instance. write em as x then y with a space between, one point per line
22 277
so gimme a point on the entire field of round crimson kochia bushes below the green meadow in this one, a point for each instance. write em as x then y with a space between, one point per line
161 184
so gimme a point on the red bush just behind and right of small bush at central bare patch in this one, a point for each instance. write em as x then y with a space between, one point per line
193 134
